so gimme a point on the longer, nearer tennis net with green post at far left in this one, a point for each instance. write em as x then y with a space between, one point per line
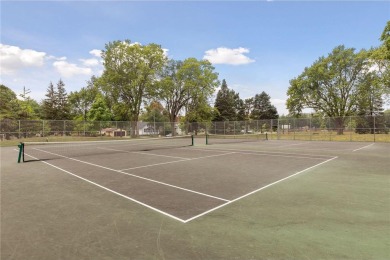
32 151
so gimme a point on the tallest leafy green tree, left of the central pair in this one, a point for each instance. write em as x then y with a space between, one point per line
129 75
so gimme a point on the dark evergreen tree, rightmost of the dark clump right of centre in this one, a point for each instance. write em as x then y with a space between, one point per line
262 107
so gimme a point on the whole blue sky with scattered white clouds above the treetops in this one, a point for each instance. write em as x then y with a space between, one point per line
254 45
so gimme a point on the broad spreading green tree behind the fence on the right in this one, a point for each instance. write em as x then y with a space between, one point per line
331 85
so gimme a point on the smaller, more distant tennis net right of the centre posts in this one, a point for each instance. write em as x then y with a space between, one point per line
226 139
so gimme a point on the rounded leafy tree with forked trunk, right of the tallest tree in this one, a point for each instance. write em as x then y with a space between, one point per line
186 85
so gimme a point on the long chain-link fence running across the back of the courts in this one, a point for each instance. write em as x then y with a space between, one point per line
354 128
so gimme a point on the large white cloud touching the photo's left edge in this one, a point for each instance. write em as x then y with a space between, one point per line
13 58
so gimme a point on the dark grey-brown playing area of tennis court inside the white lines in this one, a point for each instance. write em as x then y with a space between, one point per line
174 178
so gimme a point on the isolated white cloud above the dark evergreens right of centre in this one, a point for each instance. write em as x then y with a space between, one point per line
224 55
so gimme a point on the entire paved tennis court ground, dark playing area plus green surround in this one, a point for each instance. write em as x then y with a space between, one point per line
242 199
